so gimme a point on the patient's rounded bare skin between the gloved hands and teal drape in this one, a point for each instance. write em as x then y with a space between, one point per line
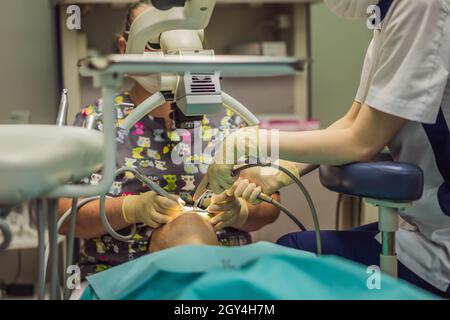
189 228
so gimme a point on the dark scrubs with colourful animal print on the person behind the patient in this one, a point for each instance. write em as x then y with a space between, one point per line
169 158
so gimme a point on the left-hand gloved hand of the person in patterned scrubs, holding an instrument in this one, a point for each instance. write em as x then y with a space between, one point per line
151 209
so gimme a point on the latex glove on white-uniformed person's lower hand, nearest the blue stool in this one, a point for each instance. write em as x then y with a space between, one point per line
270 179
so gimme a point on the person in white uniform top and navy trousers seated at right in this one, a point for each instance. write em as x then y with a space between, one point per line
403 102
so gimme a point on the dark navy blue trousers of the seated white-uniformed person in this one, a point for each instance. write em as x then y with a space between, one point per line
358 245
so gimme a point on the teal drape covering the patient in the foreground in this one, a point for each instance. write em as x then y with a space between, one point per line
261 271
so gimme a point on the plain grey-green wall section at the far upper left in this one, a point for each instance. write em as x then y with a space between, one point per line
28 60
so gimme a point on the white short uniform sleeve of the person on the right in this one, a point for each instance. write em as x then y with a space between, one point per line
413 62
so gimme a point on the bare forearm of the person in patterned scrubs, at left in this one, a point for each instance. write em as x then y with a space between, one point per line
89 224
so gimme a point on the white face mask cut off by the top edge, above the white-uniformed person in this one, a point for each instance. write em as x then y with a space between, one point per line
351 9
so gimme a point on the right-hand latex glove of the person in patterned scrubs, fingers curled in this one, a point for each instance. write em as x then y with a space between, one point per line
228 211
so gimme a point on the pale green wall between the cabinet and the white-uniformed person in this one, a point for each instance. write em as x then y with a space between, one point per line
338 48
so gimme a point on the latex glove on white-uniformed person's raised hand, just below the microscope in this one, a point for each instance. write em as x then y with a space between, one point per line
241 145
